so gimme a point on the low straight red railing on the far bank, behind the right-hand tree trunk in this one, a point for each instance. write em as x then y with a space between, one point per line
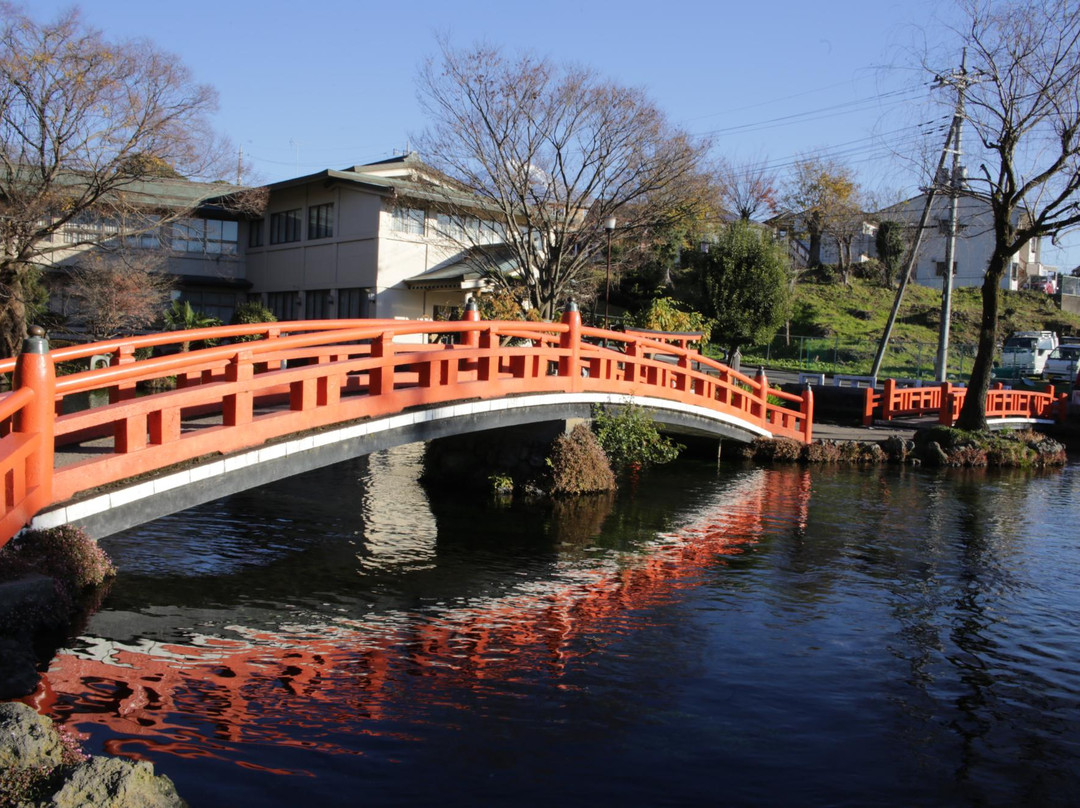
947 400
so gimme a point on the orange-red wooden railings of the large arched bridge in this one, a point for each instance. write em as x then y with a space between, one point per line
303 376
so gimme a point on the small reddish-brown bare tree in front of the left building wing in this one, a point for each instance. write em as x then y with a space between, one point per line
119 293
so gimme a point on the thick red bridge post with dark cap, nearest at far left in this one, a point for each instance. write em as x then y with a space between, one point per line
34 369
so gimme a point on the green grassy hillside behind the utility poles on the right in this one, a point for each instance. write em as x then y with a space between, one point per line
836 329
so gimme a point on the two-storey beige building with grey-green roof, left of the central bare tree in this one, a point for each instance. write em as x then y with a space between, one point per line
369 241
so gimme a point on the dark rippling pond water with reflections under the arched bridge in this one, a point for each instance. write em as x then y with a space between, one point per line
741 637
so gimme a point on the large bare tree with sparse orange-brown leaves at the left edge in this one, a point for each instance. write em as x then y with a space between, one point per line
88 128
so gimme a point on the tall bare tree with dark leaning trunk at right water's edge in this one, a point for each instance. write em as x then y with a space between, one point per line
1023 106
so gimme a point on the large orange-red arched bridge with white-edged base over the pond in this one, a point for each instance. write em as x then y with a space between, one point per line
254 403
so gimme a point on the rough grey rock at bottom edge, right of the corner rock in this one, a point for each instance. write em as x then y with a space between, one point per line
106 783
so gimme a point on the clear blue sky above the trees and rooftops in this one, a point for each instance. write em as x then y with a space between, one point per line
331 84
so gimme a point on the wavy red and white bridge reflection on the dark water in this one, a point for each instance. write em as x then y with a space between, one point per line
214 695
